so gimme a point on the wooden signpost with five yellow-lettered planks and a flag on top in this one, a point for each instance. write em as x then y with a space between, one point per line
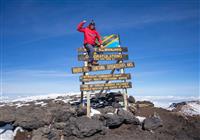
106 81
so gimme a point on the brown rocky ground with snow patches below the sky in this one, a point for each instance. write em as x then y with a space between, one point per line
57 119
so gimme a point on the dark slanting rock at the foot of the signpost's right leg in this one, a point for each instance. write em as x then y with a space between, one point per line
129 118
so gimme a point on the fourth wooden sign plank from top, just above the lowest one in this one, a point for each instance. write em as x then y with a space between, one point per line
104 77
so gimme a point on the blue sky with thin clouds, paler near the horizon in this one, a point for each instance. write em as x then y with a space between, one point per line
39 44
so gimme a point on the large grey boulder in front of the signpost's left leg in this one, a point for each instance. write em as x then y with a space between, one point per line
85 127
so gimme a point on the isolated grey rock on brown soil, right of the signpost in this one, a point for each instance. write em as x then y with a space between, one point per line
152 123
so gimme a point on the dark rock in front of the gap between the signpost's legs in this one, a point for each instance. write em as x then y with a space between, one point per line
113 120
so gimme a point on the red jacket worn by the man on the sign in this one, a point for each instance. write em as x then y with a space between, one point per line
90 36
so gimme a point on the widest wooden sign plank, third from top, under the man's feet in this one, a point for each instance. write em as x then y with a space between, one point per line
103 67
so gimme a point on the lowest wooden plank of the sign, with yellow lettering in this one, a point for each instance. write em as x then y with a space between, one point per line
107 86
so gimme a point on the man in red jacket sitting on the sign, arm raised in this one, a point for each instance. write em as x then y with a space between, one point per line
90 37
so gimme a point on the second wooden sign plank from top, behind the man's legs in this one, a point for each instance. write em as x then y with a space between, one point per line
82 57
